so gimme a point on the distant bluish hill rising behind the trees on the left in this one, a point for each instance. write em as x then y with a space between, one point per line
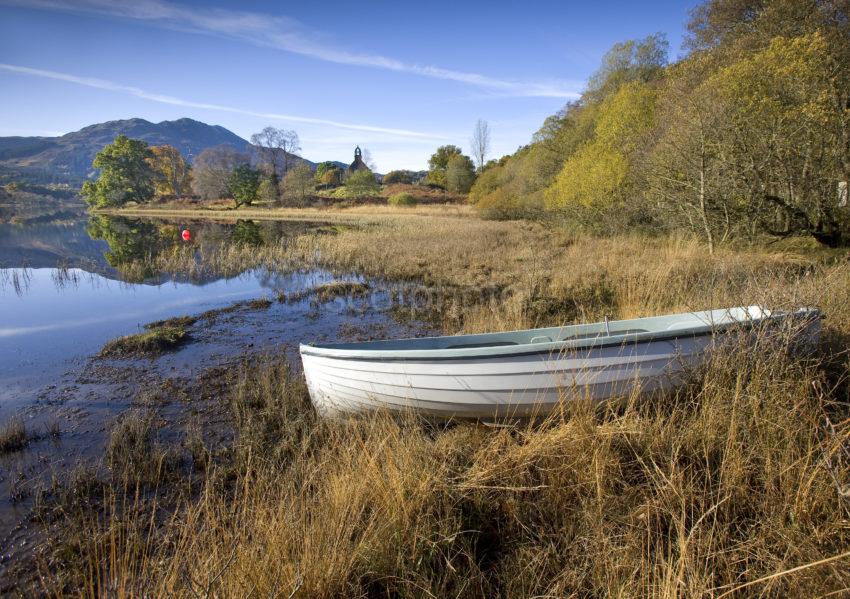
67 159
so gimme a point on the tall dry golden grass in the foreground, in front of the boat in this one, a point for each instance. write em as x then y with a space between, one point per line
732 486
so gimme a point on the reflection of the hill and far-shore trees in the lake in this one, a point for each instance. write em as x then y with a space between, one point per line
124 249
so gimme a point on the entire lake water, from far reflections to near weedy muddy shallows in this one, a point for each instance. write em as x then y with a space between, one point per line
70 286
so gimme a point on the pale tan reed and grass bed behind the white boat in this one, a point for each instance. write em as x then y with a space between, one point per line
487 275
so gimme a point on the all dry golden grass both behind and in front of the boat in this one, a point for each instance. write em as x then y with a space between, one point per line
736 485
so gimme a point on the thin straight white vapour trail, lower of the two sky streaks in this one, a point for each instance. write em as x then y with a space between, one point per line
174 101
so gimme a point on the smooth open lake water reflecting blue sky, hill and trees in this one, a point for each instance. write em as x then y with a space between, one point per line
67 287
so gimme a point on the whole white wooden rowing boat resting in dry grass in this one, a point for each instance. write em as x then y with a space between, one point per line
524 373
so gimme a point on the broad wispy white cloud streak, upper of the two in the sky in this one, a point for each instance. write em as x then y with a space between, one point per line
284 33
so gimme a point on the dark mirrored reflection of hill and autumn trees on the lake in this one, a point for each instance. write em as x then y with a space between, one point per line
131 250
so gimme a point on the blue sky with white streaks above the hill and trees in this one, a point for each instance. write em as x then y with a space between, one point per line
398 79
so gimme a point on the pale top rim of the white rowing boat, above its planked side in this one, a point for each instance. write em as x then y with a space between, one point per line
526 349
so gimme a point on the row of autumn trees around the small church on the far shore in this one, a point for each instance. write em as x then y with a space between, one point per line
129 170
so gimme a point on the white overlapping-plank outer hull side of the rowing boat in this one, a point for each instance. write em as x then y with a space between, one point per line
502 387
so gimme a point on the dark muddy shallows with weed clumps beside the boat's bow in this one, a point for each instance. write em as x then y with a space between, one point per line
178 398
